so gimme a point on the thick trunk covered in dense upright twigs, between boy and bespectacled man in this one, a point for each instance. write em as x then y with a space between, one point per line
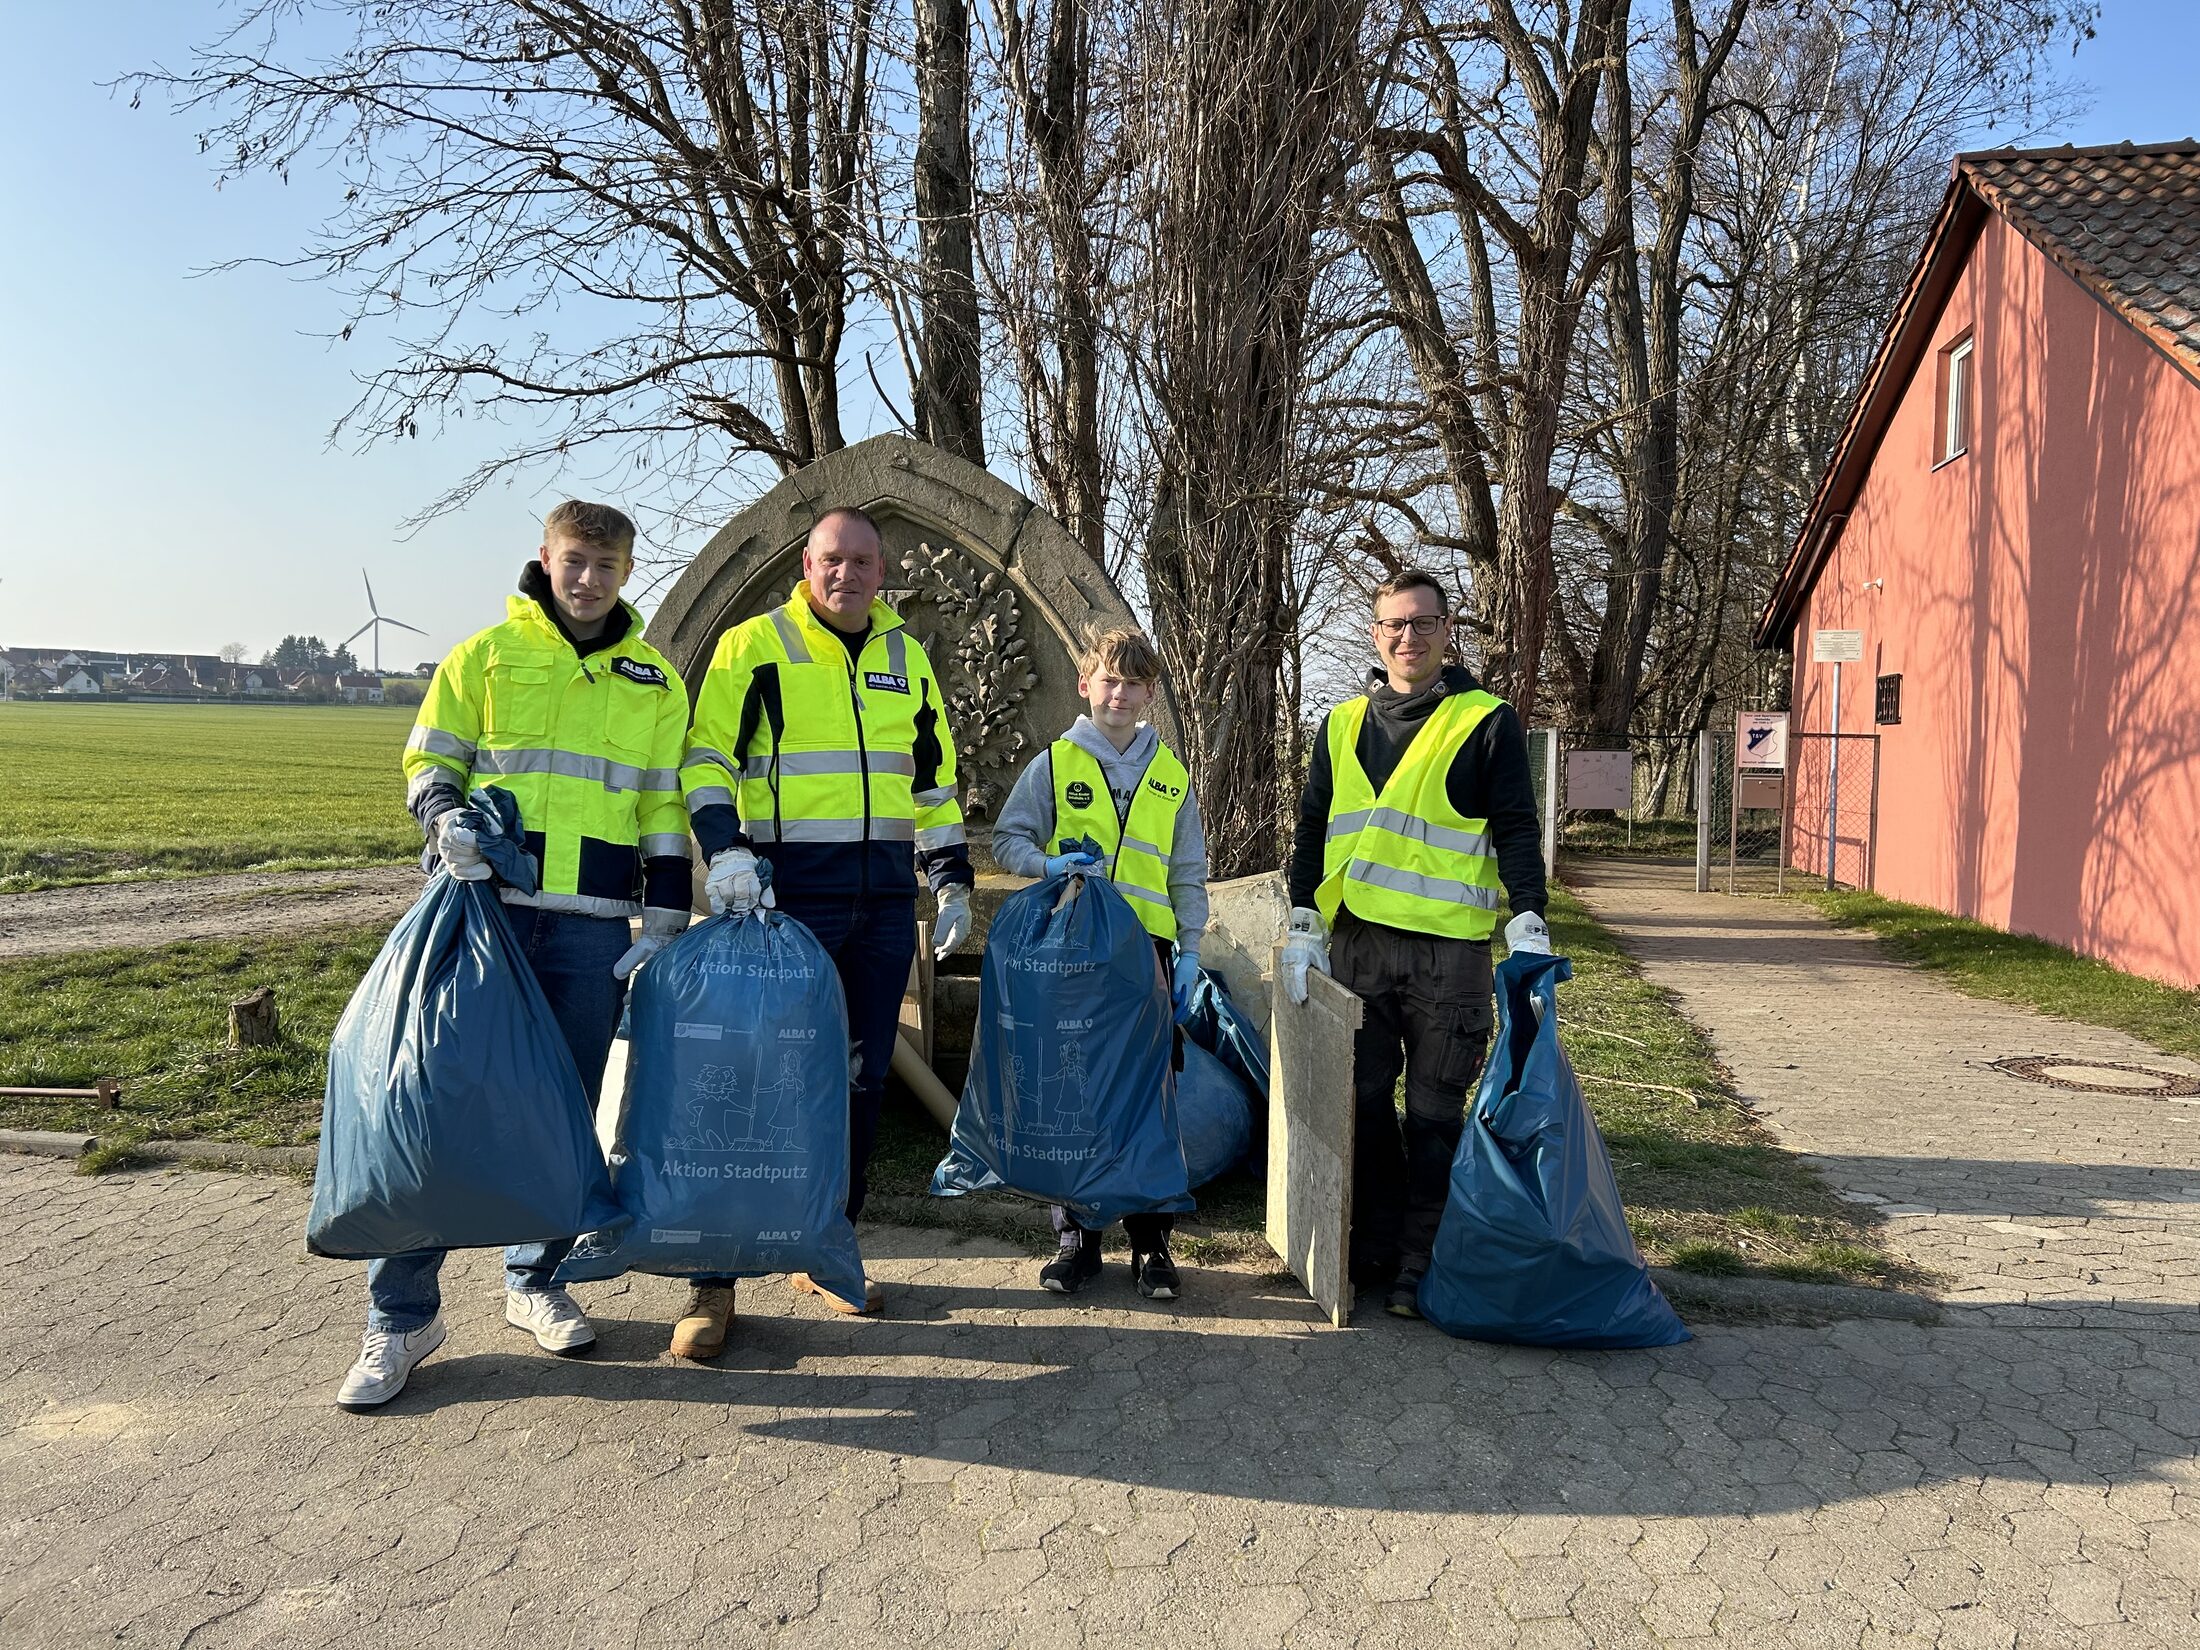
1240 146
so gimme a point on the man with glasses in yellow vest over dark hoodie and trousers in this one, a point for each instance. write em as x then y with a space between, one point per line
1416 819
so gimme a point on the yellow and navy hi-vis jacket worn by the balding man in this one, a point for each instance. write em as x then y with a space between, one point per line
841 769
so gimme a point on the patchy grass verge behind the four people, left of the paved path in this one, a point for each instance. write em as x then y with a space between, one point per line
1704 1185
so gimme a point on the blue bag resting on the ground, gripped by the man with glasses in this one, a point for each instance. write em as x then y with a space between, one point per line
1534 1244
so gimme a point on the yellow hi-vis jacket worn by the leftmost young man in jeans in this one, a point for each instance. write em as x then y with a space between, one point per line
588 749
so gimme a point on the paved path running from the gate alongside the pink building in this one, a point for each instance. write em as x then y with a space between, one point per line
2027 1200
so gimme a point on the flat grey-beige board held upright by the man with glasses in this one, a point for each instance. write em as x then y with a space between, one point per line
1310 1138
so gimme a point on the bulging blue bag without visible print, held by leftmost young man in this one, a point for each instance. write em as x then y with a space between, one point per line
454 1116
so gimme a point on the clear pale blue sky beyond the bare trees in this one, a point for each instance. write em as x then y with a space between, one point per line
164 437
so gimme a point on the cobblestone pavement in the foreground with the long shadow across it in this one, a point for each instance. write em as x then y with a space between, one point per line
991 1466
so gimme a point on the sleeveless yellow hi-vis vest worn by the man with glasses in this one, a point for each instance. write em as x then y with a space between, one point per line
1409 859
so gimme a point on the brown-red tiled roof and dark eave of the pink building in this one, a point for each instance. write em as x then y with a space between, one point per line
2122 221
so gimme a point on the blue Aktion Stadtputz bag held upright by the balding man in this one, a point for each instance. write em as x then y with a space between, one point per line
731 1156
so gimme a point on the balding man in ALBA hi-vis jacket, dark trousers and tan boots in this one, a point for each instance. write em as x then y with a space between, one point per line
822 753
